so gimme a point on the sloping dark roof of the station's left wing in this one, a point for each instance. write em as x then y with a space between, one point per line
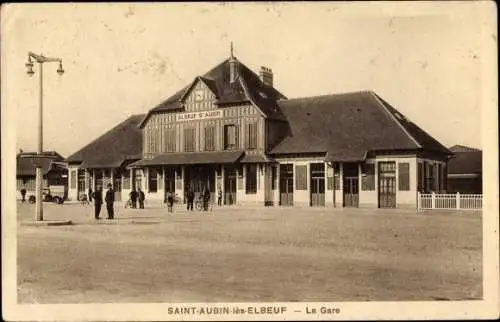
121 143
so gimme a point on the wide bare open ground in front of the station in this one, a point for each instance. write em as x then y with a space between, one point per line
249 255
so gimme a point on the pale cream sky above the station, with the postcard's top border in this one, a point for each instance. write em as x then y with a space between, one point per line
425 59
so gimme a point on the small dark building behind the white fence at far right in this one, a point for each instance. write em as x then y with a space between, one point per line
465 170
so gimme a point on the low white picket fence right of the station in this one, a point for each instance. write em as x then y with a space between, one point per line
449 201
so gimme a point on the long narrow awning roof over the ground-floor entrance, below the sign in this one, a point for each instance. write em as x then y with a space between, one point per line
191 158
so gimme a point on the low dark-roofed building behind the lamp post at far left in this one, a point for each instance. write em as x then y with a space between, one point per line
53 169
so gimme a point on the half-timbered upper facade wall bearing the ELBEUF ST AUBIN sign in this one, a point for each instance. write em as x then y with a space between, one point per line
201 112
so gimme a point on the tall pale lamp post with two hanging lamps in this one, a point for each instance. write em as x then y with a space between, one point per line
40 59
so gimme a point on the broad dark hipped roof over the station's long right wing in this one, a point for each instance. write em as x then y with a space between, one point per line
348 126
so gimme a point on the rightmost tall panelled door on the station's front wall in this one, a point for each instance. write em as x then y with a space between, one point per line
387 185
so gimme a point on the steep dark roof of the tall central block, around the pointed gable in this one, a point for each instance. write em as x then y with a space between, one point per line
247 88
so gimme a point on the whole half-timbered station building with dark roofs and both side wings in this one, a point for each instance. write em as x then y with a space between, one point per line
230 128
